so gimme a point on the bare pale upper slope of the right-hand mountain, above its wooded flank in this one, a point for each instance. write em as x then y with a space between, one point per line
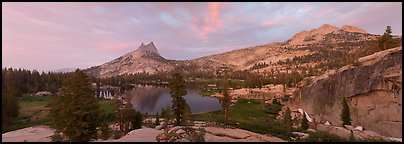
296 46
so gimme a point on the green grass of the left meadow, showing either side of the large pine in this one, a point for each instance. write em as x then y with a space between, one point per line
33 112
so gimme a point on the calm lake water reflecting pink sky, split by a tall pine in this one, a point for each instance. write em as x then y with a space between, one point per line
150 99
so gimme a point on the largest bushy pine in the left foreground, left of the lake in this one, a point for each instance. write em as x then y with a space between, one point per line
76 112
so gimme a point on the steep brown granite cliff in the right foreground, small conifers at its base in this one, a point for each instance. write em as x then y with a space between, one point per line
373 89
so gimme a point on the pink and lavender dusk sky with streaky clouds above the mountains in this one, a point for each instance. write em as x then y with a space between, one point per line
50 36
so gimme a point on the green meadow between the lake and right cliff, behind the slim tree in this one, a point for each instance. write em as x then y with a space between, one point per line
249 115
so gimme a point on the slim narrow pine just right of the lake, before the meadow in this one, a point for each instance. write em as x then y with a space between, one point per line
226 100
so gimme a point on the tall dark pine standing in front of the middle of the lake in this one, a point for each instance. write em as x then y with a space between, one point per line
177 91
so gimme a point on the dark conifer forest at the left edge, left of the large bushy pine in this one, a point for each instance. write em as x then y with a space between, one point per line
16 82
